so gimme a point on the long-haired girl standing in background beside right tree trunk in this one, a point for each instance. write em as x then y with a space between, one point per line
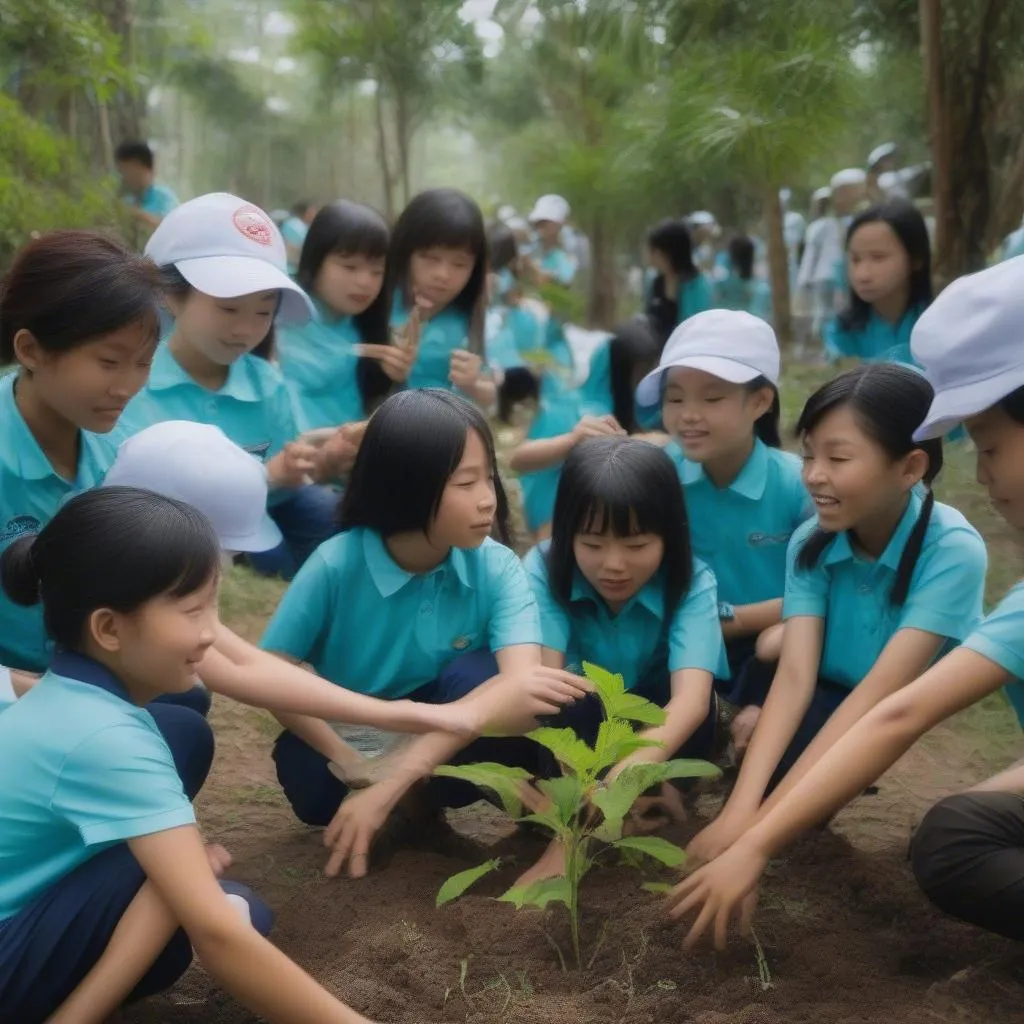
890 271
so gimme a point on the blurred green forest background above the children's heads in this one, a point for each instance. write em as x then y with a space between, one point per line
634 110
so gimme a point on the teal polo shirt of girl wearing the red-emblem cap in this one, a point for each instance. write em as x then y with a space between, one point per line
253 409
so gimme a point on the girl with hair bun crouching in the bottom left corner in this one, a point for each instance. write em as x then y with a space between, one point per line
107 887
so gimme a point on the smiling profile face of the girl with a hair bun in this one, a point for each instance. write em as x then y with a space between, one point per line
158 649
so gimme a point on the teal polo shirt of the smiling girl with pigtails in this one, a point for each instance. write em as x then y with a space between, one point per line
850 592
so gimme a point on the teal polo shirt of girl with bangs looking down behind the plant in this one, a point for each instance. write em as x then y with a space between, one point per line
642 644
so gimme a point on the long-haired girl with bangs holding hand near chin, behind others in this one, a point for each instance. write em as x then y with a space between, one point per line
437 273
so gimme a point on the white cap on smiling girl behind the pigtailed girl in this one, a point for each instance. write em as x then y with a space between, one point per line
734 347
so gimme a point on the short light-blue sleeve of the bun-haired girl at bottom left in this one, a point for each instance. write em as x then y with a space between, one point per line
121 784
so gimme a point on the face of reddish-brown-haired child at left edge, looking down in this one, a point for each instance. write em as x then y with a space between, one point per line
91 386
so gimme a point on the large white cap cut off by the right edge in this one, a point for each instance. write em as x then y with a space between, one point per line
969 345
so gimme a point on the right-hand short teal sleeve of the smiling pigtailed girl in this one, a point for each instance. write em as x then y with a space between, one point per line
948 587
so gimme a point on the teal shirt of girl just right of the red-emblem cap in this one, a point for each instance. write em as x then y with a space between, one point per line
319 364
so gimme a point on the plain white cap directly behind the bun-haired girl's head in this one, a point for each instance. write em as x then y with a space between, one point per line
197 464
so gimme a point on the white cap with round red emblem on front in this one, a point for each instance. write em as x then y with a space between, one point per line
227 247
